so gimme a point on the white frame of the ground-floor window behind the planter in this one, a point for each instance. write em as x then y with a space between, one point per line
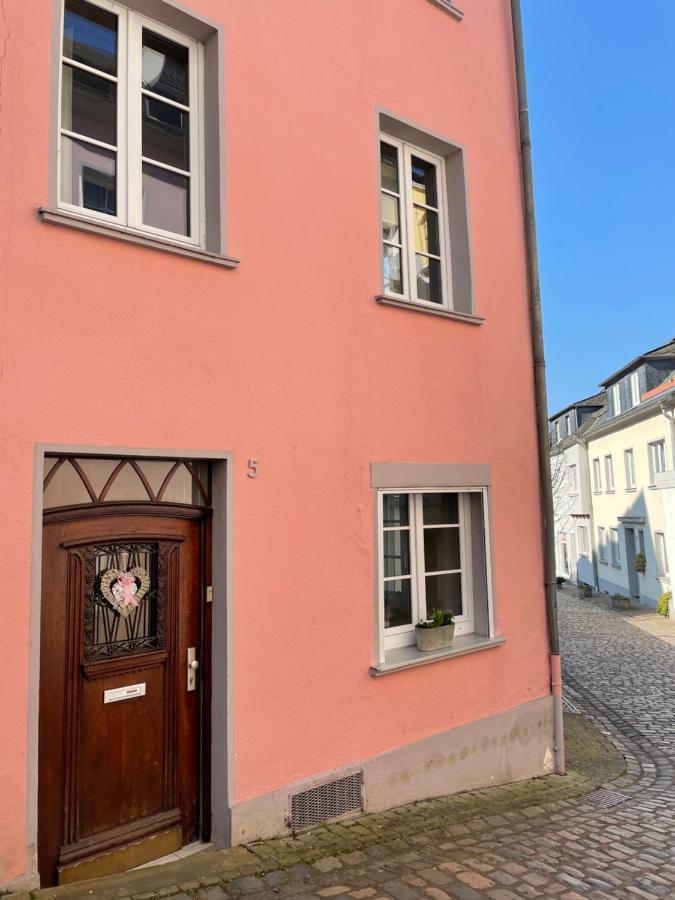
404 635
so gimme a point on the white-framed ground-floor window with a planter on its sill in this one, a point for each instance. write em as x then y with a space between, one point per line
432 549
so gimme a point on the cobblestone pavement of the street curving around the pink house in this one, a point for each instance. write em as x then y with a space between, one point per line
488 844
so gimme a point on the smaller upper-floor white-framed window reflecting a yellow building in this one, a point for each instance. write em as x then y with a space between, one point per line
415 243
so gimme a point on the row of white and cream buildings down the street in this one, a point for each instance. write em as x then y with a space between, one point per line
621 458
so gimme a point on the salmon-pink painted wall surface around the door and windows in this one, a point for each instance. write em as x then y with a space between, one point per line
287 359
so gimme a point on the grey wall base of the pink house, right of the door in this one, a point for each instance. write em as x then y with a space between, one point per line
510 746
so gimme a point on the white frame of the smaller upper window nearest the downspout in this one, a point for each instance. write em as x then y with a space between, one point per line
405 152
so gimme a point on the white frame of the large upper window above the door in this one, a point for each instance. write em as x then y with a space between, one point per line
129 161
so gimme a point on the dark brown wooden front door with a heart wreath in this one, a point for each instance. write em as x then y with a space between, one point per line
119 741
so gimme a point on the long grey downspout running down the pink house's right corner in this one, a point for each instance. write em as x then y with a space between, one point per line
537 335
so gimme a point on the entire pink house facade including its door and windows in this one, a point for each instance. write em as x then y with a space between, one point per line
256 428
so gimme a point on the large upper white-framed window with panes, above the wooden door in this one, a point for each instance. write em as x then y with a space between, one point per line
131 122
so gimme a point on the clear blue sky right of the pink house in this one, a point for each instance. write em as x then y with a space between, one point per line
601 84
